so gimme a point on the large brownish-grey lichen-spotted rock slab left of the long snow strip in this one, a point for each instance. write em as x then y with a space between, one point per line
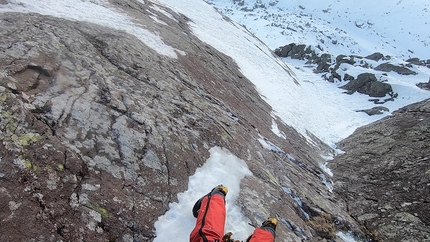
100 132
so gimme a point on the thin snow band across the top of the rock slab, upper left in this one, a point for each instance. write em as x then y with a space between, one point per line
97 12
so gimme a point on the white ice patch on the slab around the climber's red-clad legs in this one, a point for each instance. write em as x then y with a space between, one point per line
222 167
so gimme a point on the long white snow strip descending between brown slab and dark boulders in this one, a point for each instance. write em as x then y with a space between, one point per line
301 99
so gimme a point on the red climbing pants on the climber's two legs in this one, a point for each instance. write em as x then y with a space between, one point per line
211 220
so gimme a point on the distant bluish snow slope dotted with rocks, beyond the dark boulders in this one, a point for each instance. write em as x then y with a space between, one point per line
398 28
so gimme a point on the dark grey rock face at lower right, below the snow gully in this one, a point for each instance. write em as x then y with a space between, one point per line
384 175
